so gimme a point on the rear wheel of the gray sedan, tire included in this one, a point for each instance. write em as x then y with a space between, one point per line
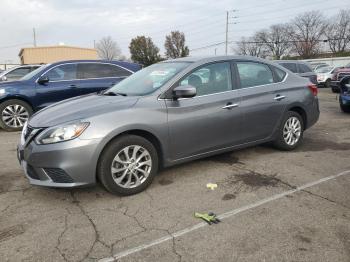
290 133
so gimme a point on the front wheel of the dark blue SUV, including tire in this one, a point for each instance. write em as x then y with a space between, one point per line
13 114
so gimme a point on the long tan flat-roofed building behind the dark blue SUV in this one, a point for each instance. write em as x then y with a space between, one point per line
50 54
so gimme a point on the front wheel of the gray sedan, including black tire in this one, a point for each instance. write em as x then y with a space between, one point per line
128 165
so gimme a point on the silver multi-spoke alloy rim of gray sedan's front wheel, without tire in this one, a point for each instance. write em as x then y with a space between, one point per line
131 166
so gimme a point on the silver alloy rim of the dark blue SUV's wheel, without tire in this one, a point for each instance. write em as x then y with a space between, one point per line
14 116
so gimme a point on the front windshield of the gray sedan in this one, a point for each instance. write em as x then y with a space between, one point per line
149 79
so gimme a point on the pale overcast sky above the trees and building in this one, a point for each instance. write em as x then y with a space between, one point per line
80 22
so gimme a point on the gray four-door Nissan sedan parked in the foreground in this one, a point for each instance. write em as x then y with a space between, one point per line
168 113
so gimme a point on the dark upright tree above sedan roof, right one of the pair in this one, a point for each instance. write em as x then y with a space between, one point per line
175 45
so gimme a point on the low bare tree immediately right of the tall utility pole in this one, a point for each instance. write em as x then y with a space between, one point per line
250 46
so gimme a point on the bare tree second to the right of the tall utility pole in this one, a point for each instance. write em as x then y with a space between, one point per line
276 39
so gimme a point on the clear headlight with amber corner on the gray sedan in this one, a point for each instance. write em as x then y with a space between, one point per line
61 133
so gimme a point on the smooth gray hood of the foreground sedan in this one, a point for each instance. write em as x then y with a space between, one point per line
80 108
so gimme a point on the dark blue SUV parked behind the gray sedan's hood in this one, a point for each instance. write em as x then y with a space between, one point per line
55 82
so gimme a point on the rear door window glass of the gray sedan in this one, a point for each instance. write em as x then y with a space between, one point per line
254 74
